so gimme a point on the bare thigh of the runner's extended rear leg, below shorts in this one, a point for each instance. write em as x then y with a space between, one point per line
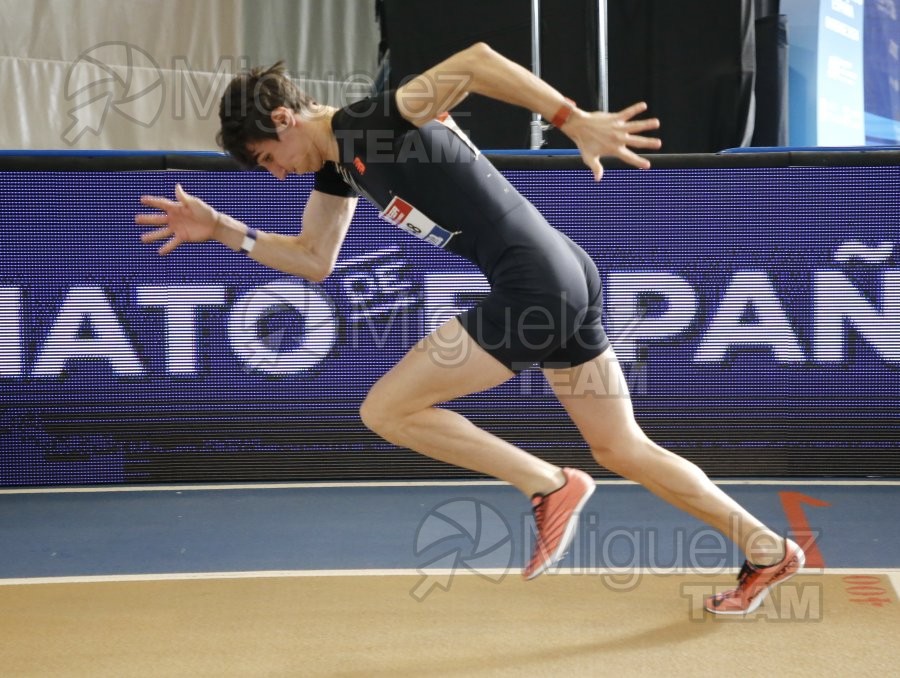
595 395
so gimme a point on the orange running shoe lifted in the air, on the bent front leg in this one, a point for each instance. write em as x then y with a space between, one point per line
556 519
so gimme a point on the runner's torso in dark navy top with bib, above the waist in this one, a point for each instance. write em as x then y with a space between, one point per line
432 183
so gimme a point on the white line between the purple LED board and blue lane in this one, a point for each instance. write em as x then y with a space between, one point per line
212 487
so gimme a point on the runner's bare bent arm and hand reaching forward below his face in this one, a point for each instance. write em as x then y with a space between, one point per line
311 254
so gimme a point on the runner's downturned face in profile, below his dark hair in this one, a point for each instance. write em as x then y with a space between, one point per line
294 152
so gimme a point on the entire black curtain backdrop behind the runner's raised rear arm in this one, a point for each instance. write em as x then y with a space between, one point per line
694 62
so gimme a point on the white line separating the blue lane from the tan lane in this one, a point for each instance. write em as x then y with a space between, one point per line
893 573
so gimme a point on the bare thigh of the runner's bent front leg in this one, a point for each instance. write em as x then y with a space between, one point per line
446 364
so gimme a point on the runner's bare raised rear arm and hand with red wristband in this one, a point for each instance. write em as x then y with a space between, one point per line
481 70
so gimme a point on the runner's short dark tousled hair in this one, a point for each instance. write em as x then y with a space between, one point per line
245 111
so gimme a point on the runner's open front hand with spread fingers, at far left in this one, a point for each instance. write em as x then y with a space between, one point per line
187 219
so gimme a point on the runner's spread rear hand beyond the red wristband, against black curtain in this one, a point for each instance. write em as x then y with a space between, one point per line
612 134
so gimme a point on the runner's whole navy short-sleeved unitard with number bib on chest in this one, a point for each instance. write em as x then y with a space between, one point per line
545 300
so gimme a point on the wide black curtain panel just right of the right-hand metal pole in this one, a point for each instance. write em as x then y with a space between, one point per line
693 61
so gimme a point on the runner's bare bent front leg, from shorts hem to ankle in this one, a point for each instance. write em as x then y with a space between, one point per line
443 366
